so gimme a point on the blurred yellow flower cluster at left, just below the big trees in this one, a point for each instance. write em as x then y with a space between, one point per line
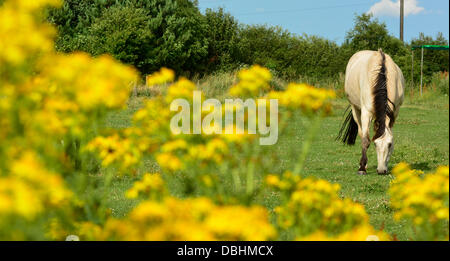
93 90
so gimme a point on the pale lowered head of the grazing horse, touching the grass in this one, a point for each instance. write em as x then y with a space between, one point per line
384 146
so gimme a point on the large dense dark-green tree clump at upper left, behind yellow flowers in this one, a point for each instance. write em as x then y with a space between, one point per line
146 33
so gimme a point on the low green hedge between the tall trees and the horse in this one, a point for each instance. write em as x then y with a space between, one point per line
288 55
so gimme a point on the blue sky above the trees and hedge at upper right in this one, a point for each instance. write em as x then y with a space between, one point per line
332 19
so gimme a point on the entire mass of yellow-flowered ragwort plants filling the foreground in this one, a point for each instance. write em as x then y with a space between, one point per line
52 105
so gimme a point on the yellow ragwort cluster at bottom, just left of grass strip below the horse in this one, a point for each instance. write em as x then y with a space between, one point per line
313 209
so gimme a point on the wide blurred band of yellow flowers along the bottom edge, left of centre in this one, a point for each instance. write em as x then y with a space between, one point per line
188 219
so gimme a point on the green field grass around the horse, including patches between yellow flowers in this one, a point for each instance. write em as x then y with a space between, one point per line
421 135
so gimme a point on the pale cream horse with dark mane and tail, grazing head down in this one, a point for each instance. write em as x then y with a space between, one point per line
374 86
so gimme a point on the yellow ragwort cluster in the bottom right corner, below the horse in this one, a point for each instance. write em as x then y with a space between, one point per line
422 199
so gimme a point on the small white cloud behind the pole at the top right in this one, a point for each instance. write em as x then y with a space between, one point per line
390 8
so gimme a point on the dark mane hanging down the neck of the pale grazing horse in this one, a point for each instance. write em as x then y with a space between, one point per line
381 100
